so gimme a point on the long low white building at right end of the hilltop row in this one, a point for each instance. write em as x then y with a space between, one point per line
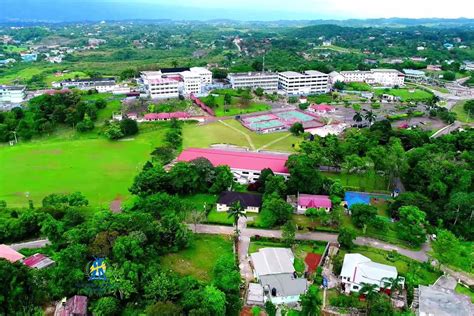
384 77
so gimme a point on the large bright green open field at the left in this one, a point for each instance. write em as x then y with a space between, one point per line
101 169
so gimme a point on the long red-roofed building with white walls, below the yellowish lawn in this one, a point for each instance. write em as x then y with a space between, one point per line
246 166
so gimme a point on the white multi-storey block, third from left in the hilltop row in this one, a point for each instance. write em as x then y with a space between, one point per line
308 82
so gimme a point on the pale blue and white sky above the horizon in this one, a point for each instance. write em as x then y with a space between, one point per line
71 10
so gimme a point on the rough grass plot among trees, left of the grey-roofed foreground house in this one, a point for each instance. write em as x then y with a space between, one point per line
199 259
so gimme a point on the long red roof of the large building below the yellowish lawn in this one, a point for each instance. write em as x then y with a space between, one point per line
238 159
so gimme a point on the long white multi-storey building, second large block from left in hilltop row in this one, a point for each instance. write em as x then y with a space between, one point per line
268 81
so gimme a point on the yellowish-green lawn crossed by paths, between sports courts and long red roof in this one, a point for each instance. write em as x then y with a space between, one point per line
203 136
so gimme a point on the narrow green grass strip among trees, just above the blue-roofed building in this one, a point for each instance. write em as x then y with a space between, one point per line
366 183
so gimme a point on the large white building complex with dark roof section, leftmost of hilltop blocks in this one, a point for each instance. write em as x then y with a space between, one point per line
173 82
